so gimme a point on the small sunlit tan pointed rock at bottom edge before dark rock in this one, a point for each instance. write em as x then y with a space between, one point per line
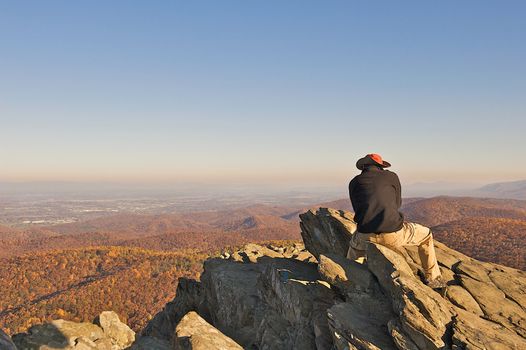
195 333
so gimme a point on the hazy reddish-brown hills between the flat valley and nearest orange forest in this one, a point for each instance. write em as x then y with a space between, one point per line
168 232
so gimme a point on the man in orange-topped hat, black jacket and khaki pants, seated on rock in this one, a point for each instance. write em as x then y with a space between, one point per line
376 196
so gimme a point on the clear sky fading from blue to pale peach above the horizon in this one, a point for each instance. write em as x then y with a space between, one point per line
261 91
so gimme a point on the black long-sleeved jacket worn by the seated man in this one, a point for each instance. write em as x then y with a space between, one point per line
376 197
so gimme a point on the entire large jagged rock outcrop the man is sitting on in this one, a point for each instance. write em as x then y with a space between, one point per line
267 297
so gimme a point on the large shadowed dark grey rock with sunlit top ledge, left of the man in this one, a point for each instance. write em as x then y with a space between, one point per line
263 301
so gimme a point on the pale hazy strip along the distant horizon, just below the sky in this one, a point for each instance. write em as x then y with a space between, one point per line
219 190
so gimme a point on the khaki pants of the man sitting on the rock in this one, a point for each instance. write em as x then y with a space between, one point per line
410 234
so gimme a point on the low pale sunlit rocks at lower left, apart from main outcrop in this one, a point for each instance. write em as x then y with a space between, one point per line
107 333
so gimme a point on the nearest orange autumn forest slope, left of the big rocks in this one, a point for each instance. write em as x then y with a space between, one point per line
78 284
